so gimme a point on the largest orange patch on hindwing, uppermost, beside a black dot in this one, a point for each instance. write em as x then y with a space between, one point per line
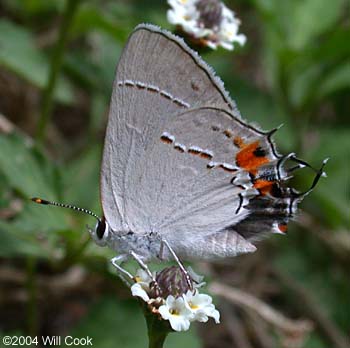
248 160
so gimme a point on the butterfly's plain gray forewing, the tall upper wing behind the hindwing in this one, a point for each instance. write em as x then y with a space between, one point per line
157 77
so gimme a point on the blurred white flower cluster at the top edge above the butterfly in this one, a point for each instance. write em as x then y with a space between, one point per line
209 21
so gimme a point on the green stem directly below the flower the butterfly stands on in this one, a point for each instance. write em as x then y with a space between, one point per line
158 329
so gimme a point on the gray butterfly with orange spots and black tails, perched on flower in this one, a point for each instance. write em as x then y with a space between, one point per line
180 167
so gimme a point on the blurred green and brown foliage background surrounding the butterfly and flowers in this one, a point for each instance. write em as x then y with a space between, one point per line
294 69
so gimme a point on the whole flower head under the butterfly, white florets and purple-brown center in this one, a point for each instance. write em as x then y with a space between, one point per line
172 298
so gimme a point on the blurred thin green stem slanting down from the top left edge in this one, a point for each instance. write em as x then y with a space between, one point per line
55 67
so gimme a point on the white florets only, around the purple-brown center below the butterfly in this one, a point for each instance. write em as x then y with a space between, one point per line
180 311
